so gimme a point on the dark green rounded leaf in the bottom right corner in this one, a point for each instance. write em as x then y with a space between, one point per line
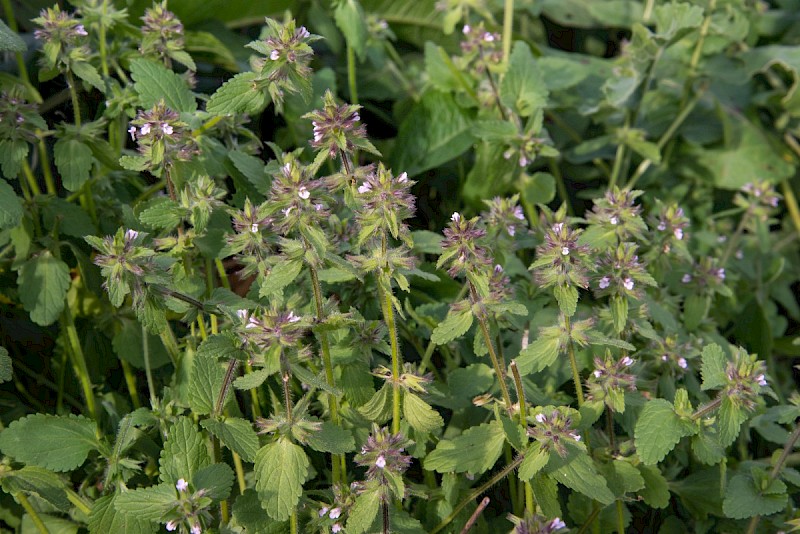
743 498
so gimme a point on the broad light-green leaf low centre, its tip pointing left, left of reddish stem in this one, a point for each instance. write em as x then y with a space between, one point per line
474 451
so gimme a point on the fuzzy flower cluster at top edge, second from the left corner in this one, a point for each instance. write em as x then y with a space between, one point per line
162 36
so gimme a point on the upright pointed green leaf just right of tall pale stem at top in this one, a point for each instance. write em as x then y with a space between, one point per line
523 88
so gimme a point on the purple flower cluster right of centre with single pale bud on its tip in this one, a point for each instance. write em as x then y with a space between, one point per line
460 248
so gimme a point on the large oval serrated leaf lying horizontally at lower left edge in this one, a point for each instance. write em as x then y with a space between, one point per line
58 443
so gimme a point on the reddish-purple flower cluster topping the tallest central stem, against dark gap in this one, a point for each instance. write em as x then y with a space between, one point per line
337 128
